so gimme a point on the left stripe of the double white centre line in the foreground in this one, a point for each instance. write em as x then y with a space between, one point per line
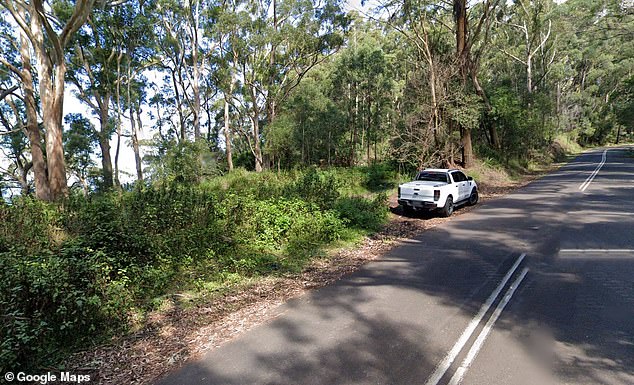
441 369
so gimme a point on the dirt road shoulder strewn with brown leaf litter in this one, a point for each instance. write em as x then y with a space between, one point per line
177 335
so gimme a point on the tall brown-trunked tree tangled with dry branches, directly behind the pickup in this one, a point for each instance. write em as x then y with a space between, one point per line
451 79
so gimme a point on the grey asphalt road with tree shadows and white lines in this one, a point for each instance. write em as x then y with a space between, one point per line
533 288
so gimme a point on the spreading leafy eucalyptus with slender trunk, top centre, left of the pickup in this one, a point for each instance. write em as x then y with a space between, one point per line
277 44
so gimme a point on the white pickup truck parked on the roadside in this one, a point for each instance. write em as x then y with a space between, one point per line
438 190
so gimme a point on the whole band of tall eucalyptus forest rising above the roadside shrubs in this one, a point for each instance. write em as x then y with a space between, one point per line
281 84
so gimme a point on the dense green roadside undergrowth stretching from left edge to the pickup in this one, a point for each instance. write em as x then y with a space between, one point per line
75 274
